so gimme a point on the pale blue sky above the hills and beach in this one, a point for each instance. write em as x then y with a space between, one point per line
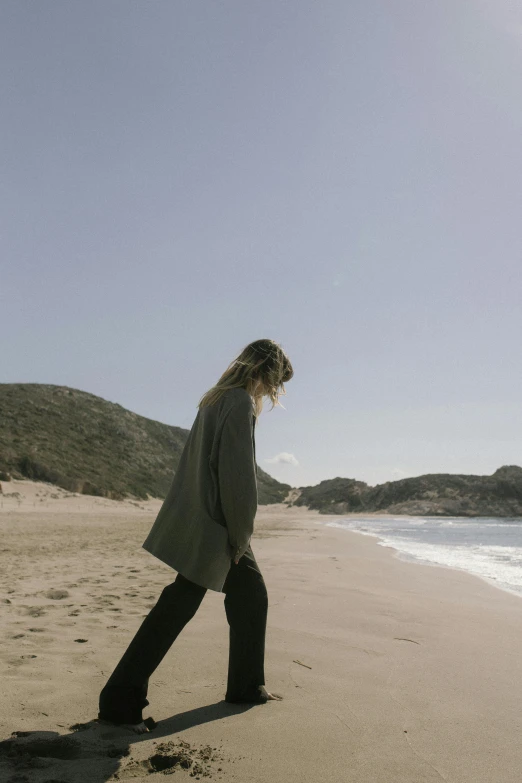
180 178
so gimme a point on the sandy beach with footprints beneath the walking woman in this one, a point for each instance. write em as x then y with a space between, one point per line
390 671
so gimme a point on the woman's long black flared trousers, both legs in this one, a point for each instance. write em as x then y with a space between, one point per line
246 605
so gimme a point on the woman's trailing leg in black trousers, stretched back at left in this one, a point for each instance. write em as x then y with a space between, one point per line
125 694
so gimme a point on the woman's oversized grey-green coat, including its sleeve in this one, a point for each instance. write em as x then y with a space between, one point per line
208 514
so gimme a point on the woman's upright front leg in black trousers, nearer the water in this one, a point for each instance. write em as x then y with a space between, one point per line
246 606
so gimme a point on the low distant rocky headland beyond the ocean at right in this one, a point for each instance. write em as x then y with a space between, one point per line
435 494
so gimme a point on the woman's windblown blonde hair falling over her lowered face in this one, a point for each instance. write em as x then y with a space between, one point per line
262 360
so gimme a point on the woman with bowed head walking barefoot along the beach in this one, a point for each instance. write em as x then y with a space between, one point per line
203 531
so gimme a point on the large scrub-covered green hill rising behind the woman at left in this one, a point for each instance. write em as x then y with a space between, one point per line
86 444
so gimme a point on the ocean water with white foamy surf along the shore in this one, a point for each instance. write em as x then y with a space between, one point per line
488 547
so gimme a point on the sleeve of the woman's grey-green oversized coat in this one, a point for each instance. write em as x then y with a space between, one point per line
237 476
